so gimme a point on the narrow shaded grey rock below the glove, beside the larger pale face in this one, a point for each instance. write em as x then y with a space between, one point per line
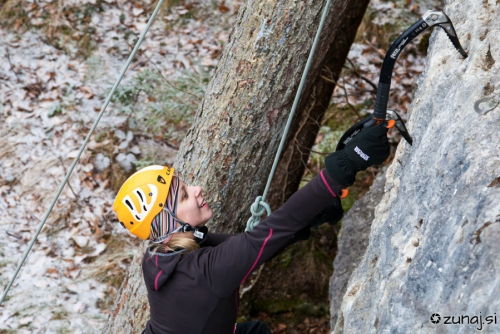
353 242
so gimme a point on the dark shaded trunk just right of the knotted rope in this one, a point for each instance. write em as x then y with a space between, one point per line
307 123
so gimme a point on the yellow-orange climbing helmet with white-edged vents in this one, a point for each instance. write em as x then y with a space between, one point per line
142 197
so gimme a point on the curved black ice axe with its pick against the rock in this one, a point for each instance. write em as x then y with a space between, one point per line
381 113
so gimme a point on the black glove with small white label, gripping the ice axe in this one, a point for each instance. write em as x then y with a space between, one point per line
369 147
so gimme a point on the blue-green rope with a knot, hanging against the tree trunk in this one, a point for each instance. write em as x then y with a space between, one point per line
260 206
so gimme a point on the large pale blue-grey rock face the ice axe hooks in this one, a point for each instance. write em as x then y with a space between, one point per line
433 245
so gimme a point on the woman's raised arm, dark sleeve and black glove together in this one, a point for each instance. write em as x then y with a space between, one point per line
229 264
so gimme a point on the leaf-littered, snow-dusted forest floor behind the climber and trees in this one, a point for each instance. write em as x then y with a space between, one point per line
59 59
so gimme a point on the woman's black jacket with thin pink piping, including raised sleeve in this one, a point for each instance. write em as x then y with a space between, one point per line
197 292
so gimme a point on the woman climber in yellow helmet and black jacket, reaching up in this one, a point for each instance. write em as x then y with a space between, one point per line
192 276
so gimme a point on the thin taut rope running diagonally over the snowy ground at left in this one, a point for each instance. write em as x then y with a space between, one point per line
108 99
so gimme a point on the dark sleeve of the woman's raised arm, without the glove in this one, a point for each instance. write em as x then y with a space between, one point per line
229 264
